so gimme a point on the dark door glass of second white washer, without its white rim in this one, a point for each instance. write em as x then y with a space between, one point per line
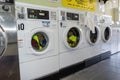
73 37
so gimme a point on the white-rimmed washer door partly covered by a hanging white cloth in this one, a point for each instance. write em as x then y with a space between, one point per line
93 38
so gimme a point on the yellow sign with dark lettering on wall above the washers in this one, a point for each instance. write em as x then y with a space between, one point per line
89 5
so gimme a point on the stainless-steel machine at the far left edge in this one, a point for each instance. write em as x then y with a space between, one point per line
9 63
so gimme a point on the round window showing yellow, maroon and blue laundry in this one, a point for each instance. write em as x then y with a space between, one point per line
39 41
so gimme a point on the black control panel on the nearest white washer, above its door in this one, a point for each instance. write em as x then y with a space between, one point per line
38 14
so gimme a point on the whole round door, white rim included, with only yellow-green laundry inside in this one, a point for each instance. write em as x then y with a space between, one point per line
73 37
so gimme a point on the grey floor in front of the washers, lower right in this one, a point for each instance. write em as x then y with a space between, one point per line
105 70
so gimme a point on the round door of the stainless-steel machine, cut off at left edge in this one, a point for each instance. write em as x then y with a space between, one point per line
3 42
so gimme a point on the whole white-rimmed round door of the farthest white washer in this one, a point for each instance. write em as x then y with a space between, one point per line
106 34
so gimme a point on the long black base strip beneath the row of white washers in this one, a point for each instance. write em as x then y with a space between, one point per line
77 67
